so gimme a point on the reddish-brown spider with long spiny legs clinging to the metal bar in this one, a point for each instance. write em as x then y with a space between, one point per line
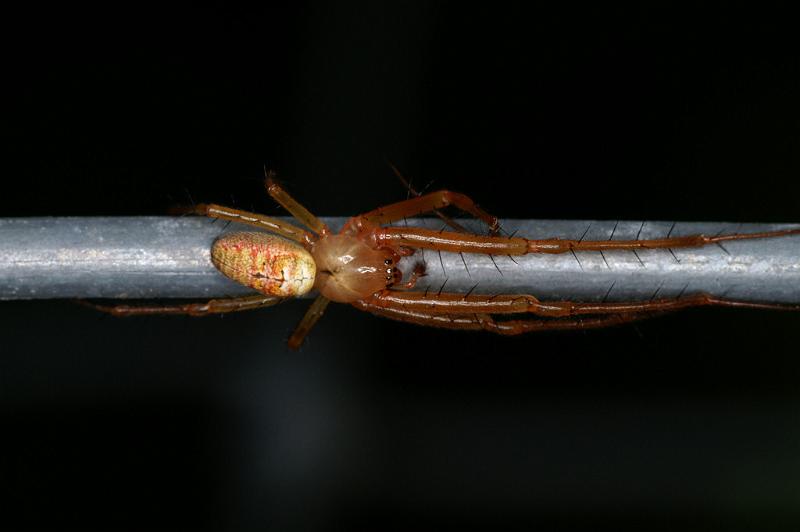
358 266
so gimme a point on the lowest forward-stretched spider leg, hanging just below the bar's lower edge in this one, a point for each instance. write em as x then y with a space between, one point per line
485 322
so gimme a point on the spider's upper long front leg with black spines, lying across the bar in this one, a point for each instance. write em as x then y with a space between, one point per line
415 237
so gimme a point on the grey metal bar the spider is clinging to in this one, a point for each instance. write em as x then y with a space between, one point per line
168 257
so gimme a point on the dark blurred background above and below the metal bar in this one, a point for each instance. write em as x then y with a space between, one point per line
691 421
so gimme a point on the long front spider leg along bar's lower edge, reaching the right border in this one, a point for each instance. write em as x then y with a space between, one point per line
448 304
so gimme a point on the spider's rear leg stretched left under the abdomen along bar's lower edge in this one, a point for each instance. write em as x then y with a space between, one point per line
214 306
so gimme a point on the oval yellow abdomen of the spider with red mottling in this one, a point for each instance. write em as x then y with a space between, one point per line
266 263
